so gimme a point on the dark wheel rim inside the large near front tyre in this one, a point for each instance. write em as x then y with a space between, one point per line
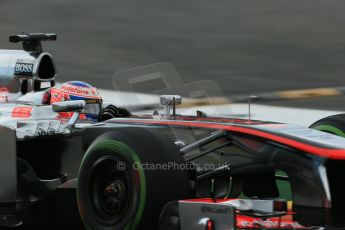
109 189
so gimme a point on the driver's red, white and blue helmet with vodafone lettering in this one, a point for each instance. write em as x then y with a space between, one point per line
78 90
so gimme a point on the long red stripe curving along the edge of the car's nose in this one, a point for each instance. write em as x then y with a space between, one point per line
338 154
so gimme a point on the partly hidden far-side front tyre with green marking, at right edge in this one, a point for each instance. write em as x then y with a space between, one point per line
333 124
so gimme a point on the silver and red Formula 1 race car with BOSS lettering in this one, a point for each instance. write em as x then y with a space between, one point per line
159 171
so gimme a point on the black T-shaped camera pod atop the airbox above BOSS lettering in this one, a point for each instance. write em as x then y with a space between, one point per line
32 41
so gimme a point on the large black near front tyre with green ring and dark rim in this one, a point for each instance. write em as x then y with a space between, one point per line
115 192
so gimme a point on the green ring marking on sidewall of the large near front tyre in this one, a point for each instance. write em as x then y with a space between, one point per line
126 151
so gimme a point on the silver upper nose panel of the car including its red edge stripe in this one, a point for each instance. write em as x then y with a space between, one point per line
305 139
